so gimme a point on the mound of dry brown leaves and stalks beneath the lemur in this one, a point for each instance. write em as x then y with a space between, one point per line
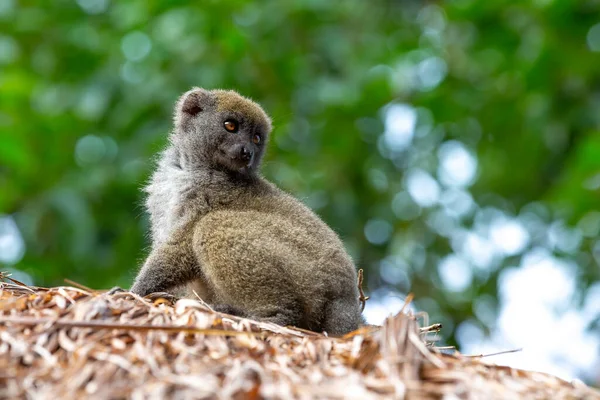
67 342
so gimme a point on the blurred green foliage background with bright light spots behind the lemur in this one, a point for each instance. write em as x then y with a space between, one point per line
455 147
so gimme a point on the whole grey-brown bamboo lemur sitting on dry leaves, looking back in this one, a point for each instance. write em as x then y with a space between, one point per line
242 242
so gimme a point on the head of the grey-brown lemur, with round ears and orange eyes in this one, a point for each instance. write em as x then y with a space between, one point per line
220 129
